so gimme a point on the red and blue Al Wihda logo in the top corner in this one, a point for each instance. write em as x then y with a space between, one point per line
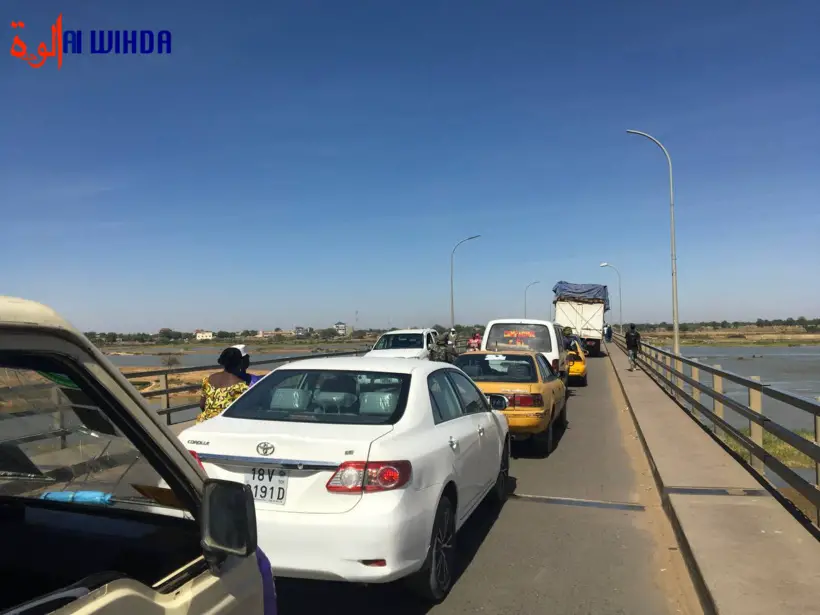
95 42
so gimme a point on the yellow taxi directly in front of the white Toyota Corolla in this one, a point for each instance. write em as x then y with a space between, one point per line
536 395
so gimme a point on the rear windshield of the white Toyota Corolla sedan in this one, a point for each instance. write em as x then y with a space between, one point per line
325 396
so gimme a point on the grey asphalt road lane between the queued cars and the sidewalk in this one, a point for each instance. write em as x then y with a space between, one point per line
582 533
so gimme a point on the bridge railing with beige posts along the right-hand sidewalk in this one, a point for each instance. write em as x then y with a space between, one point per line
761 441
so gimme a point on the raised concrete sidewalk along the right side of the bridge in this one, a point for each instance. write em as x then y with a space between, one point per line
747 552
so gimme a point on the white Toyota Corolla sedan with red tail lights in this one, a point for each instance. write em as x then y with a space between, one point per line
362 469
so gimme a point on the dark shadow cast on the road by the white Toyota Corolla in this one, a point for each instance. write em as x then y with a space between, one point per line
306 597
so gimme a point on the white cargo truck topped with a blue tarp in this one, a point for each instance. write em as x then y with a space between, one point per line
582 307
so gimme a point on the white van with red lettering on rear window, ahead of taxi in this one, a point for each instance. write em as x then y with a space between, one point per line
528 334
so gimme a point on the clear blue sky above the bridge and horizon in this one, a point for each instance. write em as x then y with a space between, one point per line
294 162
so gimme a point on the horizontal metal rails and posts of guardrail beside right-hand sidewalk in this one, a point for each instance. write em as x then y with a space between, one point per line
667 369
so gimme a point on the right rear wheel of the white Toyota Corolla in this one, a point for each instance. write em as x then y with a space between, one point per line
435 579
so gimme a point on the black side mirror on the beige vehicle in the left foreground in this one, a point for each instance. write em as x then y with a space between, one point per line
227 521
